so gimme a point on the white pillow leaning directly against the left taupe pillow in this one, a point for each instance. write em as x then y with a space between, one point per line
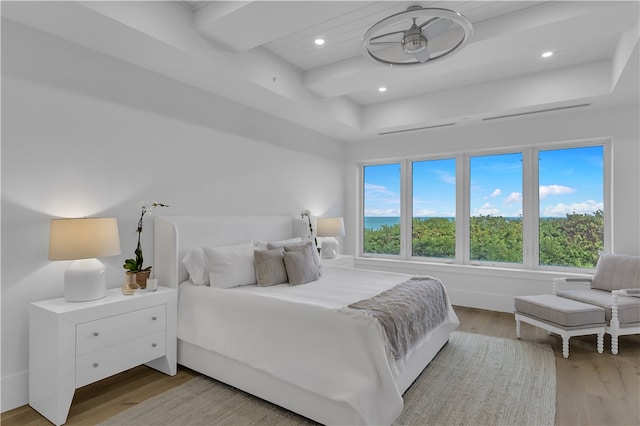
230 266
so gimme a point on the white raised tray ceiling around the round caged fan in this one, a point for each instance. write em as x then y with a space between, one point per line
262 54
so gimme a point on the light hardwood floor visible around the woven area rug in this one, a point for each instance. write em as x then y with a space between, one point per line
592 388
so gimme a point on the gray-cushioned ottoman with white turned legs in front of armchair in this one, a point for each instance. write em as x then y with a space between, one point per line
564 317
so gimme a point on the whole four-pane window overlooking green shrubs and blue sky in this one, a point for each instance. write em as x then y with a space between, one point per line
539 208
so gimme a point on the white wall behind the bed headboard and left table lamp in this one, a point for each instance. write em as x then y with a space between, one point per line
86 135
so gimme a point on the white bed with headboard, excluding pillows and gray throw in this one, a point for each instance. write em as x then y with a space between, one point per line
296 346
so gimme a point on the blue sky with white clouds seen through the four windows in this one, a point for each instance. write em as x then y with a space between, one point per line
570 181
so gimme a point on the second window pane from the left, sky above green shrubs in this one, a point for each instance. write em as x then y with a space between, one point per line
434 208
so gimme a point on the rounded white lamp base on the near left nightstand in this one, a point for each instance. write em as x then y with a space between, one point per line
85 280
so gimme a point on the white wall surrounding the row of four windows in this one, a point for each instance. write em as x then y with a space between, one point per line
492 288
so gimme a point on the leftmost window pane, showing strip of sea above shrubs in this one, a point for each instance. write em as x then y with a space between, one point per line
381 224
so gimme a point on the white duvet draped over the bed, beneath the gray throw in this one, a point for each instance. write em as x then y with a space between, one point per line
295 334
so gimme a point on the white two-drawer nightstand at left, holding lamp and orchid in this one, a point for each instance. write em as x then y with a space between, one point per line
72 344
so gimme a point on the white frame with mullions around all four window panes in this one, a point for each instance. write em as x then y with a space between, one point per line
530 205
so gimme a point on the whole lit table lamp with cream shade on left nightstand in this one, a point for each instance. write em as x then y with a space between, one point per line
82 240
